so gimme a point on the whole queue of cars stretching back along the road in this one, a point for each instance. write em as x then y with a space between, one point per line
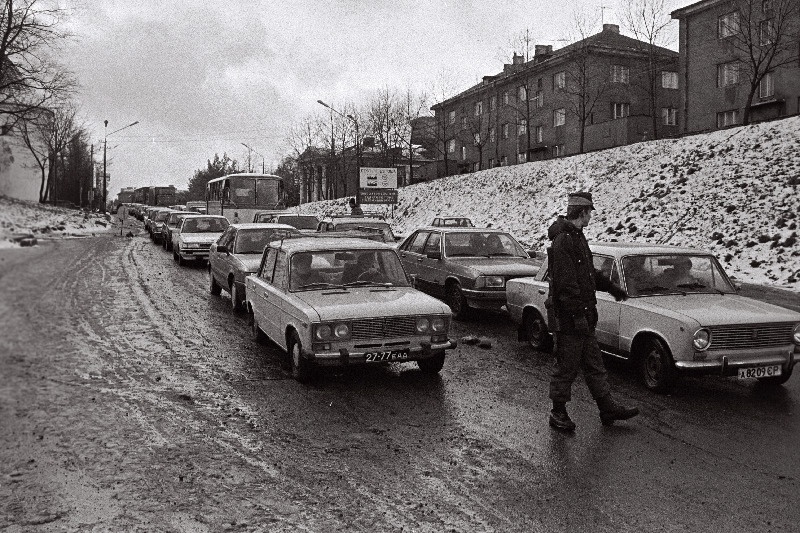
675 322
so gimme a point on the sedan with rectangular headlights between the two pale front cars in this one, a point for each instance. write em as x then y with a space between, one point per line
466 267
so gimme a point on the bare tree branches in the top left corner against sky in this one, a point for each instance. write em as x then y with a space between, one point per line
30 79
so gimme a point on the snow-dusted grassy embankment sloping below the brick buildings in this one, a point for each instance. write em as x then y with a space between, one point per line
733 192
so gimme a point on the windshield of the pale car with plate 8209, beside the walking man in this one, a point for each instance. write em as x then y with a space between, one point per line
647 275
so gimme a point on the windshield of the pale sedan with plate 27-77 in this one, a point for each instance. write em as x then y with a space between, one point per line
345 269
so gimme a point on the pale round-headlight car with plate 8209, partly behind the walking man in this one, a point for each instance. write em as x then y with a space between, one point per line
683 316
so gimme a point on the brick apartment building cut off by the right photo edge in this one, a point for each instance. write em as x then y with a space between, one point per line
735 52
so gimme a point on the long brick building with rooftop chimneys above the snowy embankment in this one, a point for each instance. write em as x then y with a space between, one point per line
590 95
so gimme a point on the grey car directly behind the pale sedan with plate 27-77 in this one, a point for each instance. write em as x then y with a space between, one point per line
237 254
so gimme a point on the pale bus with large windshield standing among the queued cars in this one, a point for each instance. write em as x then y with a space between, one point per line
238 196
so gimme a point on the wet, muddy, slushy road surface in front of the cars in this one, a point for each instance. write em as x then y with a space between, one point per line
133 400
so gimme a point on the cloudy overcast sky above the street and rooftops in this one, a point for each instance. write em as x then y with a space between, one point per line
202 77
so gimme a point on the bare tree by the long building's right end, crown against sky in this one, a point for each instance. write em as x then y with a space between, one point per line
649 21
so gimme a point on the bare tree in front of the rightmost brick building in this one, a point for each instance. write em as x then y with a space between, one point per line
764 36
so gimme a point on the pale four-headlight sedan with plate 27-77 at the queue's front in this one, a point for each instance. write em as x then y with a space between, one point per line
335 302
